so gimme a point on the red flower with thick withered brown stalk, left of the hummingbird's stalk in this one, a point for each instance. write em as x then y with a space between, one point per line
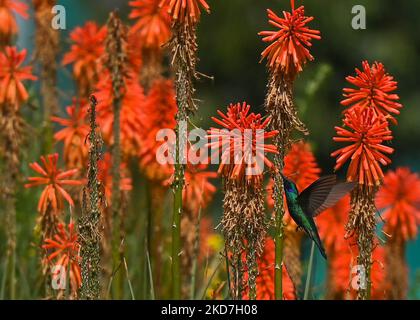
244 225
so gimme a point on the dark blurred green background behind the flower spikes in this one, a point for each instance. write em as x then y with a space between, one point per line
230 51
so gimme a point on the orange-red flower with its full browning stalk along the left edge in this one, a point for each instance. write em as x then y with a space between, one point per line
12 129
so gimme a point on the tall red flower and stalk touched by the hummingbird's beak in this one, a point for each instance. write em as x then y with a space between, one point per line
286 55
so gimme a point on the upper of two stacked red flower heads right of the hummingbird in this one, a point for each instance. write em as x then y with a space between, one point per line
374 90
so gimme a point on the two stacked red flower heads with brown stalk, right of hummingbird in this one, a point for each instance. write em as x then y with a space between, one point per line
366 129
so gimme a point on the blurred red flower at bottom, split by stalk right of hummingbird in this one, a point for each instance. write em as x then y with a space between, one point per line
344 276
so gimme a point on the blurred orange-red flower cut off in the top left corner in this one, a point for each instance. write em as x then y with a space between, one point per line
8 25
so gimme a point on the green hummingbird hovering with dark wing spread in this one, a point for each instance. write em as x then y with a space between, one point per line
319 196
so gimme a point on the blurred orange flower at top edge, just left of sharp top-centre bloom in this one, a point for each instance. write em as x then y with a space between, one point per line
153 24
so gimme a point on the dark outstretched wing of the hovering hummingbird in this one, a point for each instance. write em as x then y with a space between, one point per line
322 194
